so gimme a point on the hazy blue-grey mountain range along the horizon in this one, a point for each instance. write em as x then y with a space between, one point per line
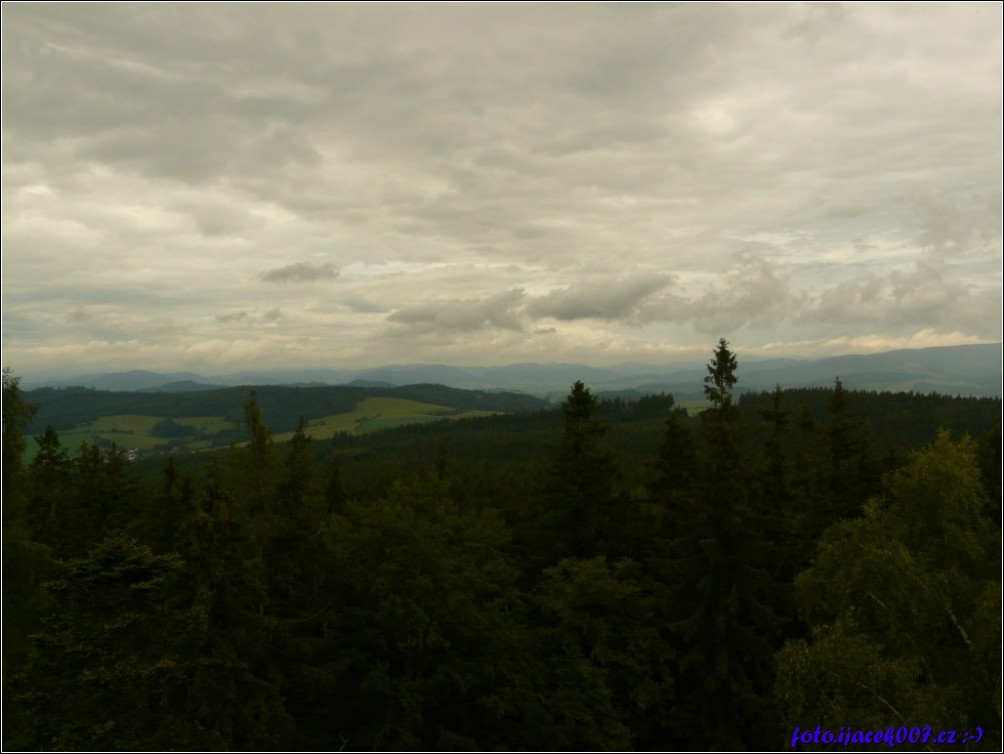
960 370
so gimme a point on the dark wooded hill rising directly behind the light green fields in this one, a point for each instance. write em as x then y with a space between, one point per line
282 407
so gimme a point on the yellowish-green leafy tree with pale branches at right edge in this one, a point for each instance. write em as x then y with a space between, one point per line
905 605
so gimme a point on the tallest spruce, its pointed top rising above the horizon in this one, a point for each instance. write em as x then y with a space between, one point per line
724 628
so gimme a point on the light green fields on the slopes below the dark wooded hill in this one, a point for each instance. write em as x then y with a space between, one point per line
136 432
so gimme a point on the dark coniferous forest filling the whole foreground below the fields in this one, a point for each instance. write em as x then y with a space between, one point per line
611 576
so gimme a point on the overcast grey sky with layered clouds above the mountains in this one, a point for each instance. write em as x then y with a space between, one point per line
214 187
